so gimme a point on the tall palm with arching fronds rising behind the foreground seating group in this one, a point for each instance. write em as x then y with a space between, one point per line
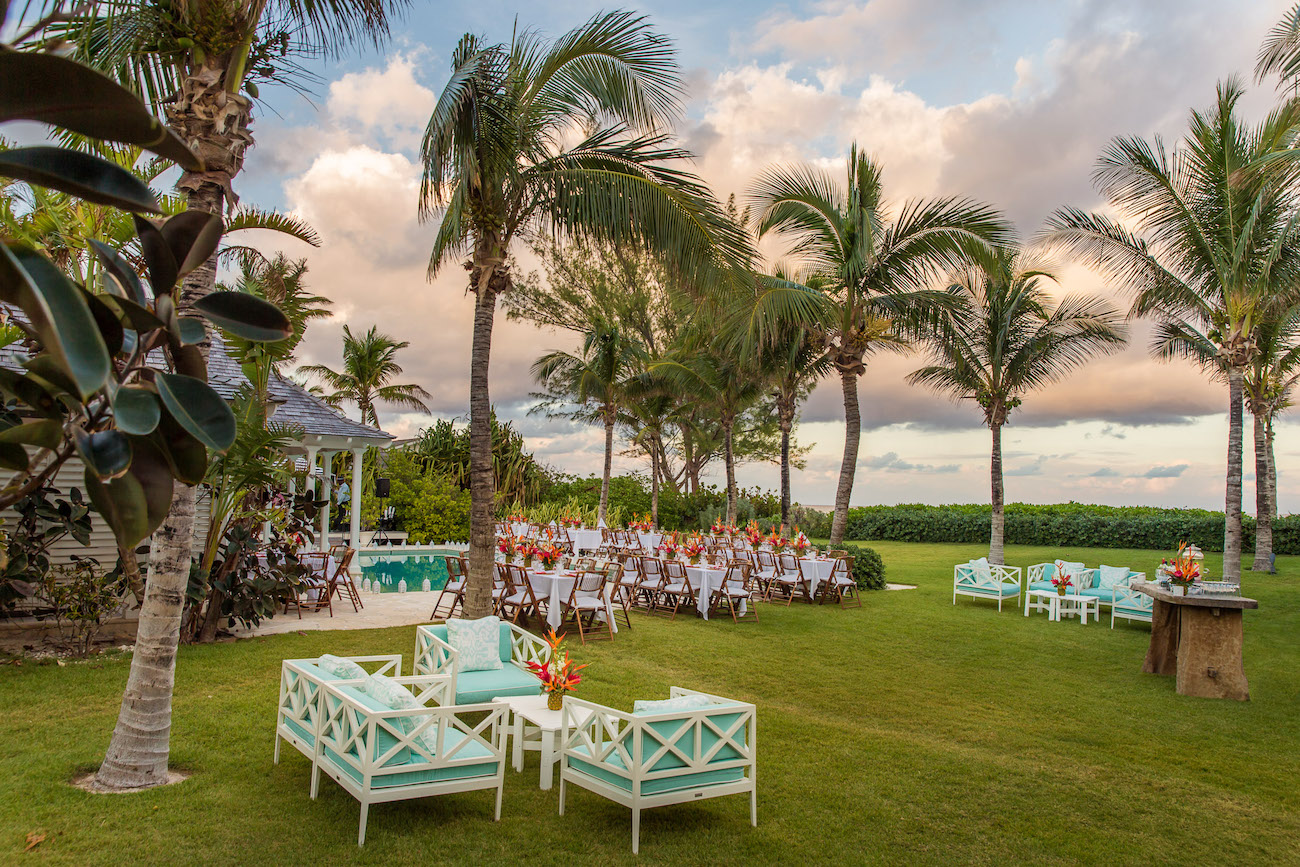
500 159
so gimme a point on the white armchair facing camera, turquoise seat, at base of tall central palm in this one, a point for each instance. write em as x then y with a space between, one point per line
434 656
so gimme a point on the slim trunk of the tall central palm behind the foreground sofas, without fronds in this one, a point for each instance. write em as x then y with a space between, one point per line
483 495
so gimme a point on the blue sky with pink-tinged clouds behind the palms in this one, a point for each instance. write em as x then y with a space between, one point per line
1008 102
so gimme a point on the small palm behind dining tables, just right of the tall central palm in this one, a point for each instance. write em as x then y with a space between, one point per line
597 376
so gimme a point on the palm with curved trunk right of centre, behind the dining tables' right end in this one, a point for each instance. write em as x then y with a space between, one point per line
876 265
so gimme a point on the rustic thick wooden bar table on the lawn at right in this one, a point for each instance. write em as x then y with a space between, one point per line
1198 639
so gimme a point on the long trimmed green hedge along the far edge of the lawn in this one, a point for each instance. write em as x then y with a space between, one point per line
1076 524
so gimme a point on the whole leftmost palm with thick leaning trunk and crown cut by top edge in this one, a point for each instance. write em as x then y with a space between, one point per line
200 63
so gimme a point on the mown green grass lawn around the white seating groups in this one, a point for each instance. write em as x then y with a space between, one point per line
911 731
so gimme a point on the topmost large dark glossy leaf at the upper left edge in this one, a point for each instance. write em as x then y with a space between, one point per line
60 92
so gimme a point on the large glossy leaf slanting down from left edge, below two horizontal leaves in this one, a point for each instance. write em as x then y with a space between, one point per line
59 314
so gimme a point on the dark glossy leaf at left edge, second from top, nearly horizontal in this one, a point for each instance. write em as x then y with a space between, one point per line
80 175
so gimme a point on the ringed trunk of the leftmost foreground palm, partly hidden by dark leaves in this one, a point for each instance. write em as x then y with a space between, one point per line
216 125
